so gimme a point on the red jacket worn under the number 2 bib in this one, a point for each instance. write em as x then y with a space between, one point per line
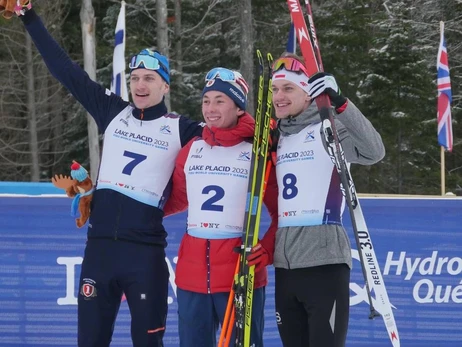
208 266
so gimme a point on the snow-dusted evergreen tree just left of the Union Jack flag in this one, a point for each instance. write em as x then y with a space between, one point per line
399 91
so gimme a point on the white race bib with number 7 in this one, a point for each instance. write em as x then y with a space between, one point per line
139 156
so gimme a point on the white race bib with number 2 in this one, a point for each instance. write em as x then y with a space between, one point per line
217 183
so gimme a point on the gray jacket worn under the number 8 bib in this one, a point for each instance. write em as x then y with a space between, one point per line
308 246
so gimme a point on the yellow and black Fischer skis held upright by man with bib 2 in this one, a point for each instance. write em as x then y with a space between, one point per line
239 309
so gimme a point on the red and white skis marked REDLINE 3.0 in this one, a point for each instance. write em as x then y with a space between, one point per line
309 46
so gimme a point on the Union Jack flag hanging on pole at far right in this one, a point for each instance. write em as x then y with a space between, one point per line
444 96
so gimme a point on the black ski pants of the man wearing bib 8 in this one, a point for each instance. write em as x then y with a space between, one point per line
312 305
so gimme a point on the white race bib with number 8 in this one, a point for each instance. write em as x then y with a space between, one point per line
308 182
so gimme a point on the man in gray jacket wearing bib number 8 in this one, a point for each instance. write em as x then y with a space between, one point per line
313 253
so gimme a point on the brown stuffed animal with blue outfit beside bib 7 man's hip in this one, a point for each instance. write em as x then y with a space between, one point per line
80 187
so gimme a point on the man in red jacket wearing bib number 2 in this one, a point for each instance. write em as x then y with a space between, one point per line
211 177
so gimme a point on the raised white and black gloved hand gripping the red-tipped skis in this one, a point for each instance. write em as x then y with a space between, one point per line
322 82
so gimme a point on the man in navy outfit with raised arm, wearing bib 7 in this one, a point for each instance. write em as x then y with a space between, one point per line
125 252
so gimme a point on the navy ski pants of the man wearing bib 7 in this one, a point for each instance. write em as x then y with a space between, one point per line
111 268
